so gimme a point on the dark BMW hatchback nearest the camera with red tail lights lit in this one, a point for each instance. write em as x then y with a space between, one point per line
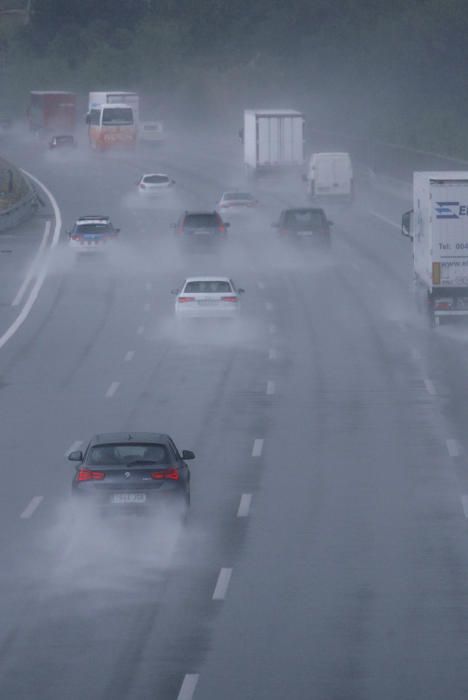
132 471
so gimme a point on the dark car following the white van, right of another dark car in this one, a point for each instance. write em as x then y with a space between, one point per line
305 225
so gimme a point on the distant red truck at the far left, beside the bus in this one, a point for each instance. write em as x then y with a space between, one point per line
52 111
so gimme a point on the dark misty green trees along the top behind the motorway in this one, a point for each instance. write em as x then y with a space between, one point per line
393 70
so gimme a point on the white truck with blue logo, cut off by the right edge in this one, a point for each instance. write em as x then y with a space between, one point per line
438 226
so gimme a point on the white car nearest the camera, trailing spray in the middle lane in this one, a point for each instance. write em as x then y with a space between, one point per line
208 297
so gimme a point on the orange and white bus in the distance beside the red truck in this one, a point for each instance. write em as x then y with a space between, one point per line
111 126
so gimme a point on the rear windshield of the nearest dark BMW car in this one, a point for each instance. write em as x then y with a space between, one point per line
124 454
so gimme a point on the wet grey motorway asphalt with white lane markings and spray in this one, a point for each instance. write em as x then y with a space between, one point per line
326 551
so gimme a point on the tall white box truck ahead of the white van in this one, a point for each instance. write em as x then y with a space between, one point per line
273 140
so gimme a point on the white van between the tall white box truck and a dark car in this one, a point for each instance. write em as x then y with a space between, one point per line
330 175
